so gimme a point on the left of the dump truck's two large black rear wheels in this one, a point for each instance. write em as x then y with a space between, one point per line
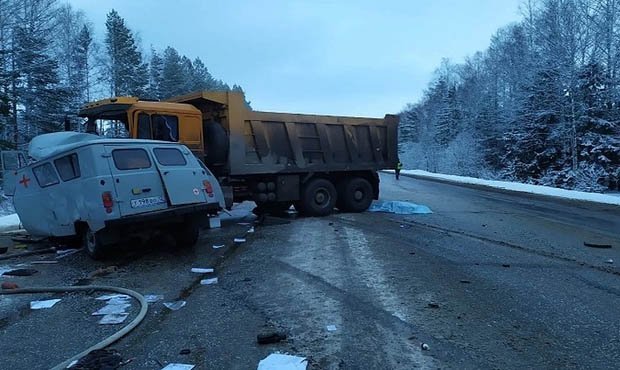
318 198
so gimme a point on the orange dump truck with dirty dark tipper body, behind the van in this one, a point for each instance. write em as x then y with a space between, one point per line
314 162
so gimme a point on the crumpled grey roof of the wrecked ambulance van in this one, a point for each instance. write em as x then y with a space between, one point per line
49 145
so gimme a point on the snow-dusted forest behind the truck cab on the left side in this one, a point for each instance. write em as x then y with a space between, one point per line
51 63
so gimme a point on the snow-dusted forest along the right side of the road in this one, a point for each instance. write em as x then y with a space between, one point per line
541 105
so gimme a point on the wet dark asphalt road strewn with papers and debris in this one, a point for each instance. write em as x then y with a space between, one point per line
489 280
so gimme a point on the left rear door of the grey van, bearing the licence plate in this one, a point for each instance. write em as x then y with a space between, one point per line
137 182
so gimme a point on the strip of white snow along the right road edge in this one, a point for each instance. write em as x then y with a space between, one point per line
519 187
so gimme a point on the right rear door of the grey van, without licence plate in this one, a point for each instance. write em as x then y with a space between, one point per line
182 177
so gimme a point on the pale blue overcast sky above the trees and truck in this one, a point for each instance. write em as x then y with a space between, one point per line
353 57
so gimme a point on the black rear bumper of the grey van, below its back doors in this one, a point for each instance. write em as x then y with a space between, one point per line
196 212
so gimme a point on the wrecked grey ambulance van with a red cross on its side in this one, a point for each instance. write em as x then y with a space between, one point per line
81 181
